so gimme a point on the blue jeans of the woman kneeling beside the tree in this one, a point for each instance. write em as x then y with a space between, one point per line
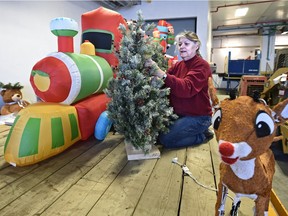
186 131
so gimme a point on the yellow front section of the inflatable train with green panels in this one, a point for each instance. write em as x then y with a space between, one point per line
40 131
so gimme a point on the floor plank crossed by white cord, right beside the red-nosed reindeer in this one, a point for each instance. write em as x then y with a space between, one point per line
196 199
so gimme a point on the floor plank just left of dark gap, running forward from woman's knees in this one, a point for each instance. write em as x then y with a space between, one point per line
162 193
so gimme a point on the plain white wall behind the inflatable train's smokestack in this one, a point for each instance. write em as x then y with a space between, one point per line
26 38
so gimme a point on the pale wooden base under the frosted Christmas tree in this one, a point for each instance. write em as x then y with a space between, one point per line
138 154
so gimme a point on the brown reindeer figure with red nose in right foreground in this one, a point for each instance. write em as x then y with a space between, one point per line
245 128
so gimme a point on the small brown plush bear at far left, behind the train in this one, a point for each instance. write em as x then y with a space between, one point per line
12 97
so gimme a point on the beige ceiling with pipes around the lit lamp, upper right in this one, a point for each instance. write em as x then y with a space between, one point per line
263 17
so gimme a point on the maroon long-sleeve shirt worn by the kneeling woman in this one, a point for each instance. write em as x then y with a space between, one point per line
188 81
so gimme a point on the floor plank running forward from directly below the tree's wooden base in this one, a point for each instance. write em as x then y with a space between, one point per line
123 194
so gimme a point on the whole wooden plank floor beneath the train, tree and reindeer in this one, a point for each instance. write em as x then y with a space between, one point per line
95 178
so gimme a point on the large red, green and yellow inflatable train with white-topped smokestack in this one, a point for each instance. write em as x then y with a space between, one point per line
69 87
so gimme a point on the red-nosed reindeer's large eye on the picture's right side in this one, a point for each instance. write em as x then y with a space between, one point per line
264 124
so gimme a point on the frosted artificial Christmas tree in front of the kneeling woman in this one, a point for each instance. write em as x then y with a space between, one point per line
139 107
